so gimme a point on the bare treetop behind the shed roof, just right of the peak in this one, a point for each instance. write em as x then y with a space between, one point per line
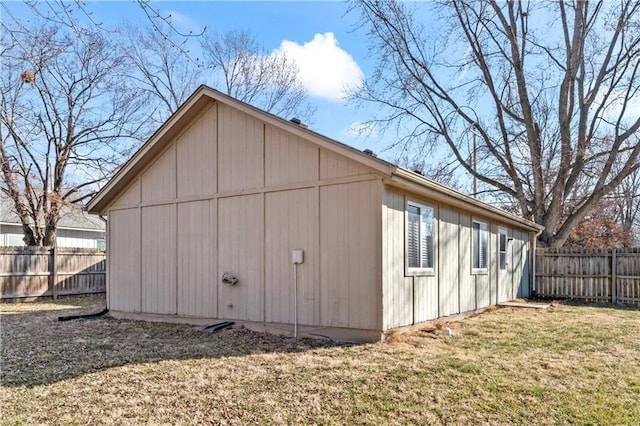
244 70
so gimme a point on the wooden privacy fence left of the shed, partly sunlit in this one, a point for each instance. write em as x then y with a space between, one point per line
51 271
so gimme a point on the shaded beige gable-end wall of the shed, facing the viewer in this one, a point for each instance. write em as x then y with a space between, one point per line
232 194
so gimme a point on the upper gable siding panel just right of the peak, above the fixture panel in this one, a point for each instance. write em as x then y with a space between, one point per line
240 150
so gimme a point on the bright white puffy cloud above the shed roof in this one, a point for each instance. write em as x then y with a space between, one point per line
325 69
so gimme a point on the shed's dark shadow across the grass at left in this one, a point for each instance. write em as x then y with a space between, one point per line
37 349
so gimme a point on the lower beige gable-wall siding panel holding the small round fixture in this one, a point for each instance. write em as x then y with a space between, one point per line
240 252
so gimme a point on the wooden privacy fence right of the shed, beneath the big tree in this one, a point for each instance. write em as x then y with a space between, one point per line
593 275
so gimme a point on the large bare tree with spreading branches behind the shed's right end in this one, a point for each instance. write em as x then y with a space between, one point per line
548 88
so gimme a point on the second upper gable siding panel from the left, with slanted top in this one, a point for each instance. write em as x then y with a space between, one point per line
159 180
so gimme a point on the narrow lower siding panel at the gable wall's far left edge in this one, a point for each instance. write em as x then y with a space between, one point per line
123 286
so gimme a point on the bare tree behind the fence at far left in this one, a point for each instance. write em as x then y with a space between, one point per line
67 113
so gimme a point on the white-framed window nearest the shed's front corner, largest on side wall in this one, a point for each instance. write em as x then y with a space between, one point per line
420 220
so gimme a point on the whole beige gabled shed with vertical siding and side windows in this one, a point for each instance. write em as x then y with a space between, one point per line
225 190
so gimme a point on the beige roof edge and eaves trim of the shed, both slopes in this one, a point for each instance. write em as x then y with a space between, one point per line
393 174
